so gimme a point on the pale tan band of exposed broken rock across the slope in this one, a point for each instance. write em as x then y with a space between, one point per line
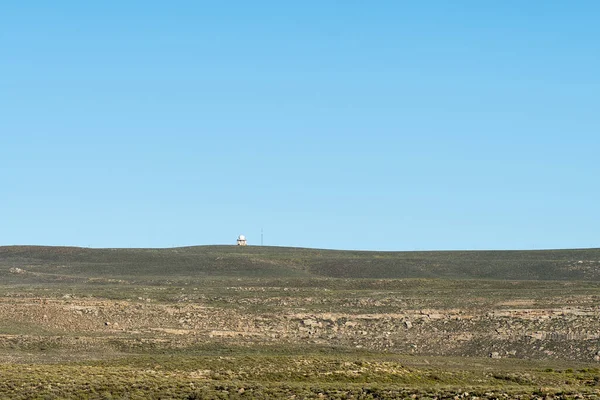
570 333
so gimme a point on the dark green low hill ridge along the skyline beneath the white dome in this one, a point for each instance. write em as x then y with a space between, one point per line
43 262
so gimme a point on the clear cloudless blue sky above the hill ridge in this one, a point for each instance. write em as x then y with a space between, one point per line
390 125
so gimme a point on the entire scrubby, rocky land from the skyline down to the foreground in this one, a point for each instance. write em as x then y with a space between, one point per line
264 322
